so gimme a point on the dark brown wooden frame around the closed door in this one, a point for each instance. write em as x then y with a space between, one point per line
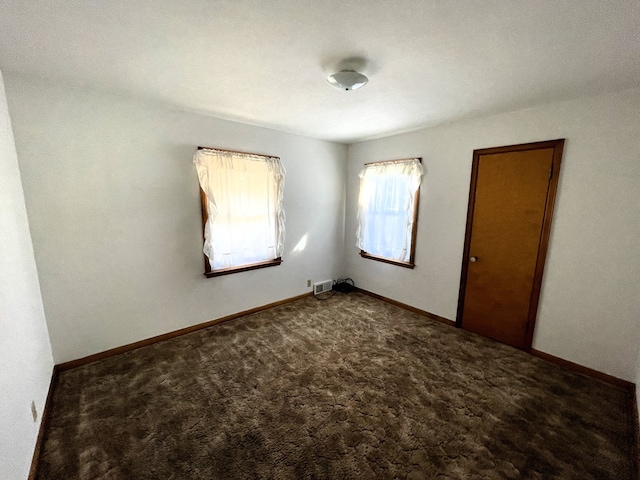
543 245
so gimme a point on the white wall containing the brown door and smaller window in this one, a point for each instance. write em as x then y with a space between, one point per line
590 302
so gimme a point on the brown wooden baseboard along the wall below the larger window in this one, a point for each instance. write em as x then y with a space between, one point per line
167 336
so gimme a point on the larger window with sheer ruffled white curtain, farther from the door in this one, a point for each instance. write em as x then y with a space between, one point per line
242 213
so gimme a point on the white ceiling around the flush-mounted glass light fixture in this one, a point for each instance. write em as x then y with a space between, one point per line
264 62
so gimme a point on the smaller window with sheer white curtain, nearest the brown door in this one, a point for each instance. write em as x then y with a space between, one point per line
388 210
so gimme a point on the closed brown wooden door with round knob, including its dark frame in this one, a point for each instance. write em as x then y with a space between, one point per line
508 223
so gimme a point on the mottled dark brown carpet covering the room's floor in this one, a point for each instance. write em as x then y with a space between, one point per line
346 388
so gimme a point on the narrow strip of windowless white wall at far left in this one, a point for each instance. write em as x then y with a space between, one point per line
25 353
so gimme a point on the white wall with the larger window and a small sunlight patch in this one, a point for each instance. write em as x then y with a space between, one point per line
113 202
